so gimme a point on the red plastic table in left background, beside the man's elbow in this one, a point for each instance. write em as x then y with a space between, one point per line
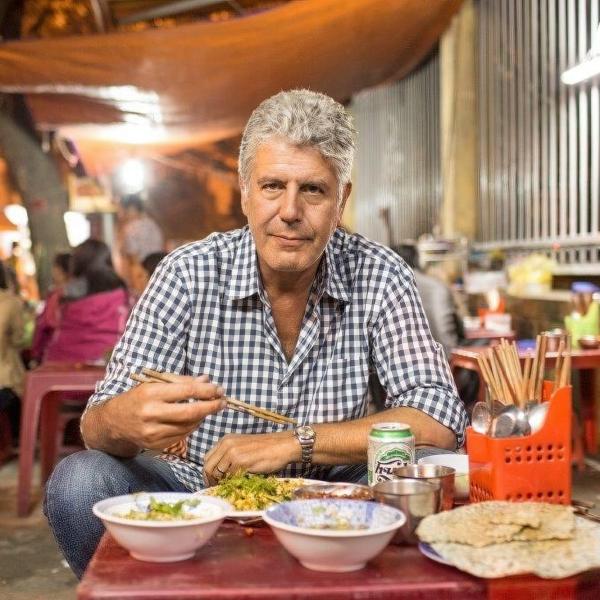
40 384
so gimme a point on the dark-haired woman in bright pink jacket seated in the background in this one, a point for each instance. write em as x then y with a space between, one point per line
93 309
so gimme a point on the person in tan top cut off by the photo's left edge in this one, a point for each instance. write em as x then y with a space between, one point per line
12 371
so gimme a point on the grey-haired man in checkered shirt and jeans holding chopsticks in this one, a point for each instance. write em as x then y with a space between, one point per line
289 313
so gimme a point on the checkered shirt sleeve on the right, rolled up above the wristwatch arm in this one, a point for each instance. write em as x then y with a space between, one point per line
411 366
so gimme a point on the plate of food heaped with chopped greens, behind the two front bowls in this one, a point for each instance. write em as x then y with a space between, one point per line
251 494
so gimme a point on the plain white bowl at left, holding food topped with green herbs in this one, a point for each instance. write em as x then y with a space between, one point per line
162 541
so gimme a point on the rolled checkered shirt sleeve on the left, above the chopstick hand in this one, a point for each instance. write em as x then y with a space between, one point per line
155 336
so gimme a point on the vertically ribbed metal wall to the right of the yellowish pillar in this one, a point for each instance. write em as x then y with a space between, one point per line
539 139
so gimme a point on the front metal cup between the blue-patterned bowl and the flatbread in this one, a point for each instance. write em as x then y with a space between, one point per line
416 499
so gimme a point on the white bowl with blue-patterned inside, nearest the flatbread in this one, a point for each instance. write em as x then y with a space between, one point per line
298 525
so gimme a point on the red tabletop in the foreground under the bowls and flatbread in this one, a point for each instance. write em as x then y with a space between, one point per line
233 565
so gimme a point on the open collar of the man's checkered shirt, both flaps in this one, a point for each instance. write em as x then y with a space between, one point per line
331 276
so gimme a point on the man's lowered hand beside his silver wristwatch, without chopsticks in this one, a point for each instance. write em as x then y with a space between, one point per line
255 453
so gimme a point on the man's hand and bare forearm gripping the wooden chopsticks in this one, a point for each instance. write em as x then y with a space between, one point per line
151 415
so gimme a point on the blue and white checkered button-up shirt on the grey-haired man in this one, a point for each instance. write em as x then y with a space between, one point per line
205 312
